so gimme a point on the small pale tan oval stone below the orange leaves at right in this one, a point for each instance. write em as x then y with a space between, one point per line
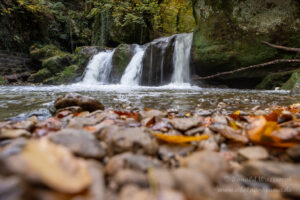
254 153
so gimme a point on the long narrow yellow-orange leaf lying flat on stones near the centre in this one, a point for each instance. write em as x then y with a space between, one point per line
179 139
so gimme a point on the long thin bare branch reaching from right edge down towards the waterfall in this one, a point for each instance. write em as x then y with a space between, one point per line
251 67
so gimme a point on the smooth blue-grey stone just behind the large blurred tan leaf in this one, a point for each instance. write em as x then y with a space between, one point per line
80 142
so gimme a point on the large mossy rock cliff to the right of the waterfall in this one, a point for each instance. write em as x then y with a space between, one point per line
229 35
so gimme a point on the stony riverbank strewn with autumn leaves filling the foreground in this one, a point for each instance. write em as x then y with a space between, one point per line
88 152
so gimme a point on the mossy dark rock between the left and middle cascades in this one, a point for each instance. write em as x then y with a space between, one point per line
120 60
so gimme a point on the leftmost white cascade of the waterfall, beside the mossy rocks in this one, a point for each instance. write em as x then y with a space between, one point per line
99 68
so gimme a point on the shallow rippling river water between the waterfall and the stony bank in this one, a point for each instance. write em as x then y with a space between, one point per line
25 101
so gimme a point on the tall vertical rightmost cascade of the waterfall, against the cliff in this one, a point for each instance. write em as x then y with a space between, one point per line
181 58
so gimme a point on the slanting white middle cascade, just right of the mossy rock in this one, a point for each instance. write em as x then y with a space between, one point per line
132 73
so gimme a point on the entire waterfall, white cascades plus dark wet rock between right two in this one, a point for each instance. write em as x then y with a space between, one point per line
163 60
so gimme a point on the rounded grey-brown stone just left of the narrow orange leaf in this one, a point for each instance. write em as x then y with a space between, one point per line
128 139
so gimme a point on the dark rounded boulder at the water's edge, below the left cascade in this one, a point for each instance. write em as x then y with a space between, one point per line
74 99
